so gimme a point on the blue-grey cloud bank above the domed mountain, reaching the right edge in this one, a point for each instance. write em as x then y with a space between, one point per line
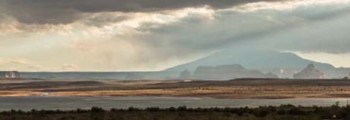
301 29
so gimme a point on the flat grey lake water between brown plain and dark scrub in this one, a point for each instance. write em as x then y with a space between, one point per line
69 103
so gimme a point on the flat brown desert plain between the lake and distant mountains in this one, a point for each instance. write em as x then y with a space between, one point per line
238 89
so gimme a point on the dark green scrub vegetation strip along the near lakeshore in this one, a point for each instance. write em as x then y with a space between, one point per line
287 112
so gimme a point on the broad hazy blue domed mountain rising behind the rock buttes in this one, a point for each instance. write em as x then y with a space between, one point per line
283 64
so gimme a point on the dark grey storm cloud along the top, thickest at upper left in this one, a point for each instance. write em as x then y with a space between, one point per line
66 11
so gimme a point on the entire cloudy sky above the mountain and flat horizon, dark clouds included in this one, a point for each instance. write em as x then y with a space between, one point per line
151 35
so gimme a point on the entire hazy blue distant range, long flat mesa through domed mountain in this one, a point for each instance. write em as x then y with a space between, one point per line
223 65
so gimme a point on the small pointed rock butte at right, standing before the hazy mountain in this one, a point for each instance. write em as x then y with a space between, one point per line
310 72
